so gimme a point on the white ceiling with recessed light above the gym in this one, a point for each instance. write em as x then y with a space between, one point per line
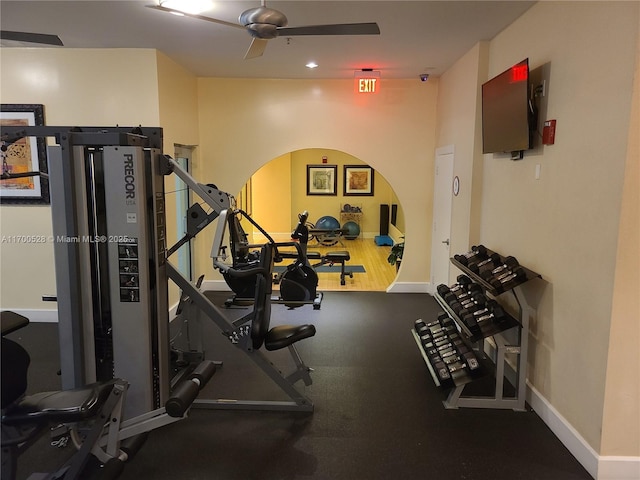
416 36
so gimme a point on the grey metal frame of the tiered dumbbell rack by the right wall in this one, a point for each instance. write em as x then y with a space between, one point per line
503 345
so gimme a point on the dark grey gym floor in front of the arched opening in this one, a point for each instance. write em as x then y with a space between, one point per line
377 412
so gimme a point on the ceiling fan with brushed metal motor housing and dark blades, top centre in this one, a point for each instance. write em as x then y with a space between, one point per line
264 23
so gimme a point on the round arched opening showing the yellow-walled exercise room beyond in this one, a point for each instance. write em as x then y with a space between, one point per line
280 190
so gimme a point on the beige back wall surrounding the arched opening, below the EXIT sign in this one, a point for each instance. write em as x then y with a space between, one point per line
245 123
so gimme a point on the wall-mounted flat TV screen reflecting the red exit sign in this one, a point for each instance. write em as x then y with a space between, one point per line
506 111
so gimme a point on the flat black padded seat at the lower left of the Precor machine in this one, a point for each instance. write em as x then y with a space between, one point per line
59 406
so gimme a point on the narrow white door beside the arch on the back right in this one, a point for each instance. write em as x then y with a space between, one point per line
442 198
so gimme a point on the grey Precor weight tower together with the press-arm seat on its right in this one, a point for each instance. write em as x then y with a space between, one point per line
108 210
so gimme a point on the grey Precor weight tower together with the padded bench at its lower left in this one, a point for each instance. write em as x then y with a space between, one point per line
107 206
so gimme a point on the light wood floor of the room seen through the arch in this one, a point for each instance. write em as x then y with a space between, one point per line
363 251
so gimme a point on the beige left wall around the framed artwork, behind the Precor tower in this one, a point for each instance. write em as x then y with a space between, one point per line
76 87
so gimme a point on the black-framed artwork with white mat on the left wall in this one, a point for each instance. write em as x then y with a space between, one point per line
27 154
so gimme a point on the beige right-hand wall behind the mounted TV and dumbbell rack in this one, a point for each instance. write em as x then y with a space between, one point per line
565 225
